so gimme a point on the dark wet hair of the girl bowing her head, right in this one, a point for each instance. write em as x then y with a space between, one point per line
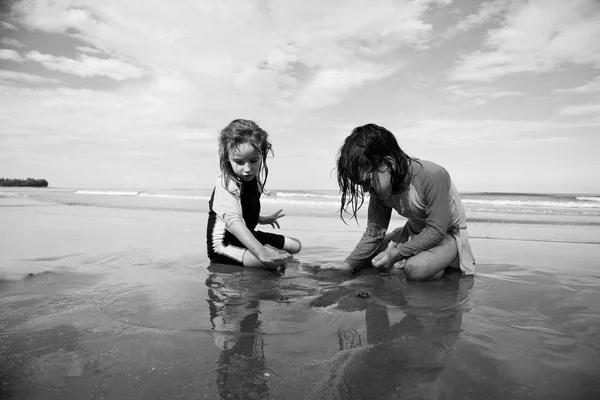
365 150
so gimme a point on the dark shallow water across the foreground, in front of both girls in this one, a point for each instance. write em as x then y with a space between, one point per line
228 332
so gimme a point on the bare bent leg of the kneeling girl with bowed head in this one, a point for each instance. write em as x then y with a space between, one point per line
430 264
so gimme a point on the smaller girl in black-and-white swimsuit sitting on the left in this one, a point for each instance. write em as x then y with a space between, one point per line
234 206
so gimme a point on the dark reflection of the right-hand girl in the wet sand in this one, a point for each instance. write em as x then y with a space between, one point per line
402 359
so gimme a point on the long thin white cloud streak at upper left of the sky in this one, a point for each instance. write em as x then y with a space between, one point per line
88 66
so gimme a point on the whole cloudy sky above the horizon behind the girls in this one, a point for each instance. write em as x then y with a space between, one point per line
504 94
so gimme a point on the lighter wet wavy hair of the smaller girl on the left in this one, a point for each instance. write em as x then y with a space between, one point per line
235 134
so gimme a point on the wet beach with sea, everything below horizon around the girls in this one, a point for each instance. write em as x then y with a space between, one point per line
109 294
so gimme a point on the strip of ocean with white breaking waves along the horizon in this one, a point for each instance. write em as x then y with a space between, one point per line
519 216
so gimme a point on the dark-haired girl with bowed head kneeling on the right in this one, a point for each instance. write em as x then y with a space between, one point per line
435 234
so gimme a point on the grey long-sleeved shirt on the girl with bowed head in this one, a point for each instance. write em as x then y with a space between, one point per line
431 204
